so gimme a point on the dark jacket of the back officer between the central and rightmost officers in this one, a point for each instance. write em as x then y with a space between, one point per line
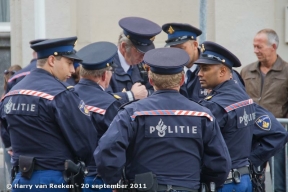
193 90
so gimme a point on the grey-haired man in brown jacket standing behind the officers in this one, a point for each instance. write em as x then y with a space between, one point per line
266 82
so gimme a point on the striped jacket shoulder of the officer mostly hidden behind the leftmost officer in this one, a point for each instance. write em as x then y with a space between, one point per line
19 75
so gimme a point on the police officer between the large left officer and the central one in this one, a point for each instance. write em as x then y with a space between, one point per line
96 71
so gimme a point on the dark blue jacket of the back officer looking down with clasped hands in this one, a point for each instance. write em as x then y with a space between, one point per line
121 81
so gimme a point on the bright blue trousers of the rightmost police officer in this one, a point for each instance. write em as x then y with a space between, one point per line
244 186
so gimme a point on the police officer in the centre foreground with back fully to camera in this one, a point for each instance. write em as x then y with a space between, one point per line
166 135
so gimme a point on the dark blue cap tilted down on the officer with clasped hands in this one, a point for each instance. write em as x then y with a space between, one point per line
140 31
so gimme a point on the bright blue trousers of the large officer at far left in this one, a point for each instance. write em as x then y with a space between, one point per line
41 181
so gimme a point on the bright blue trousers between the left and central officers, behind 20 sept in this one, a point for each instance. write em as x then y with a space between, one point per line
91 185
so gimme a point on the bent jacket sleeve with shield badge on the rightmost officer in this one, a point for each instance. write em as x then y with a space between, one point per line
269 136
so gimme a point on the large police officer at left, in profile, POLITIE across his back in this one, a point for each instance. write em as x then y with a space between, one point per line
48 123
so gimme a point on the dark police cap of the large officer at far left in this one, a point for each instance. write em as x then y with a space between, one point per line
57 47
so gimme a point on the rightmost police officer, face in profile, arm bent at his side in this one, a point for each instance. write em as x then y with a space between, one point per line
236 115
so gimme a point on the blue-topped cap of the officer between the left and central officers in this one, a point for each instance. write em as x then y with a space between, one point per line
97 55
